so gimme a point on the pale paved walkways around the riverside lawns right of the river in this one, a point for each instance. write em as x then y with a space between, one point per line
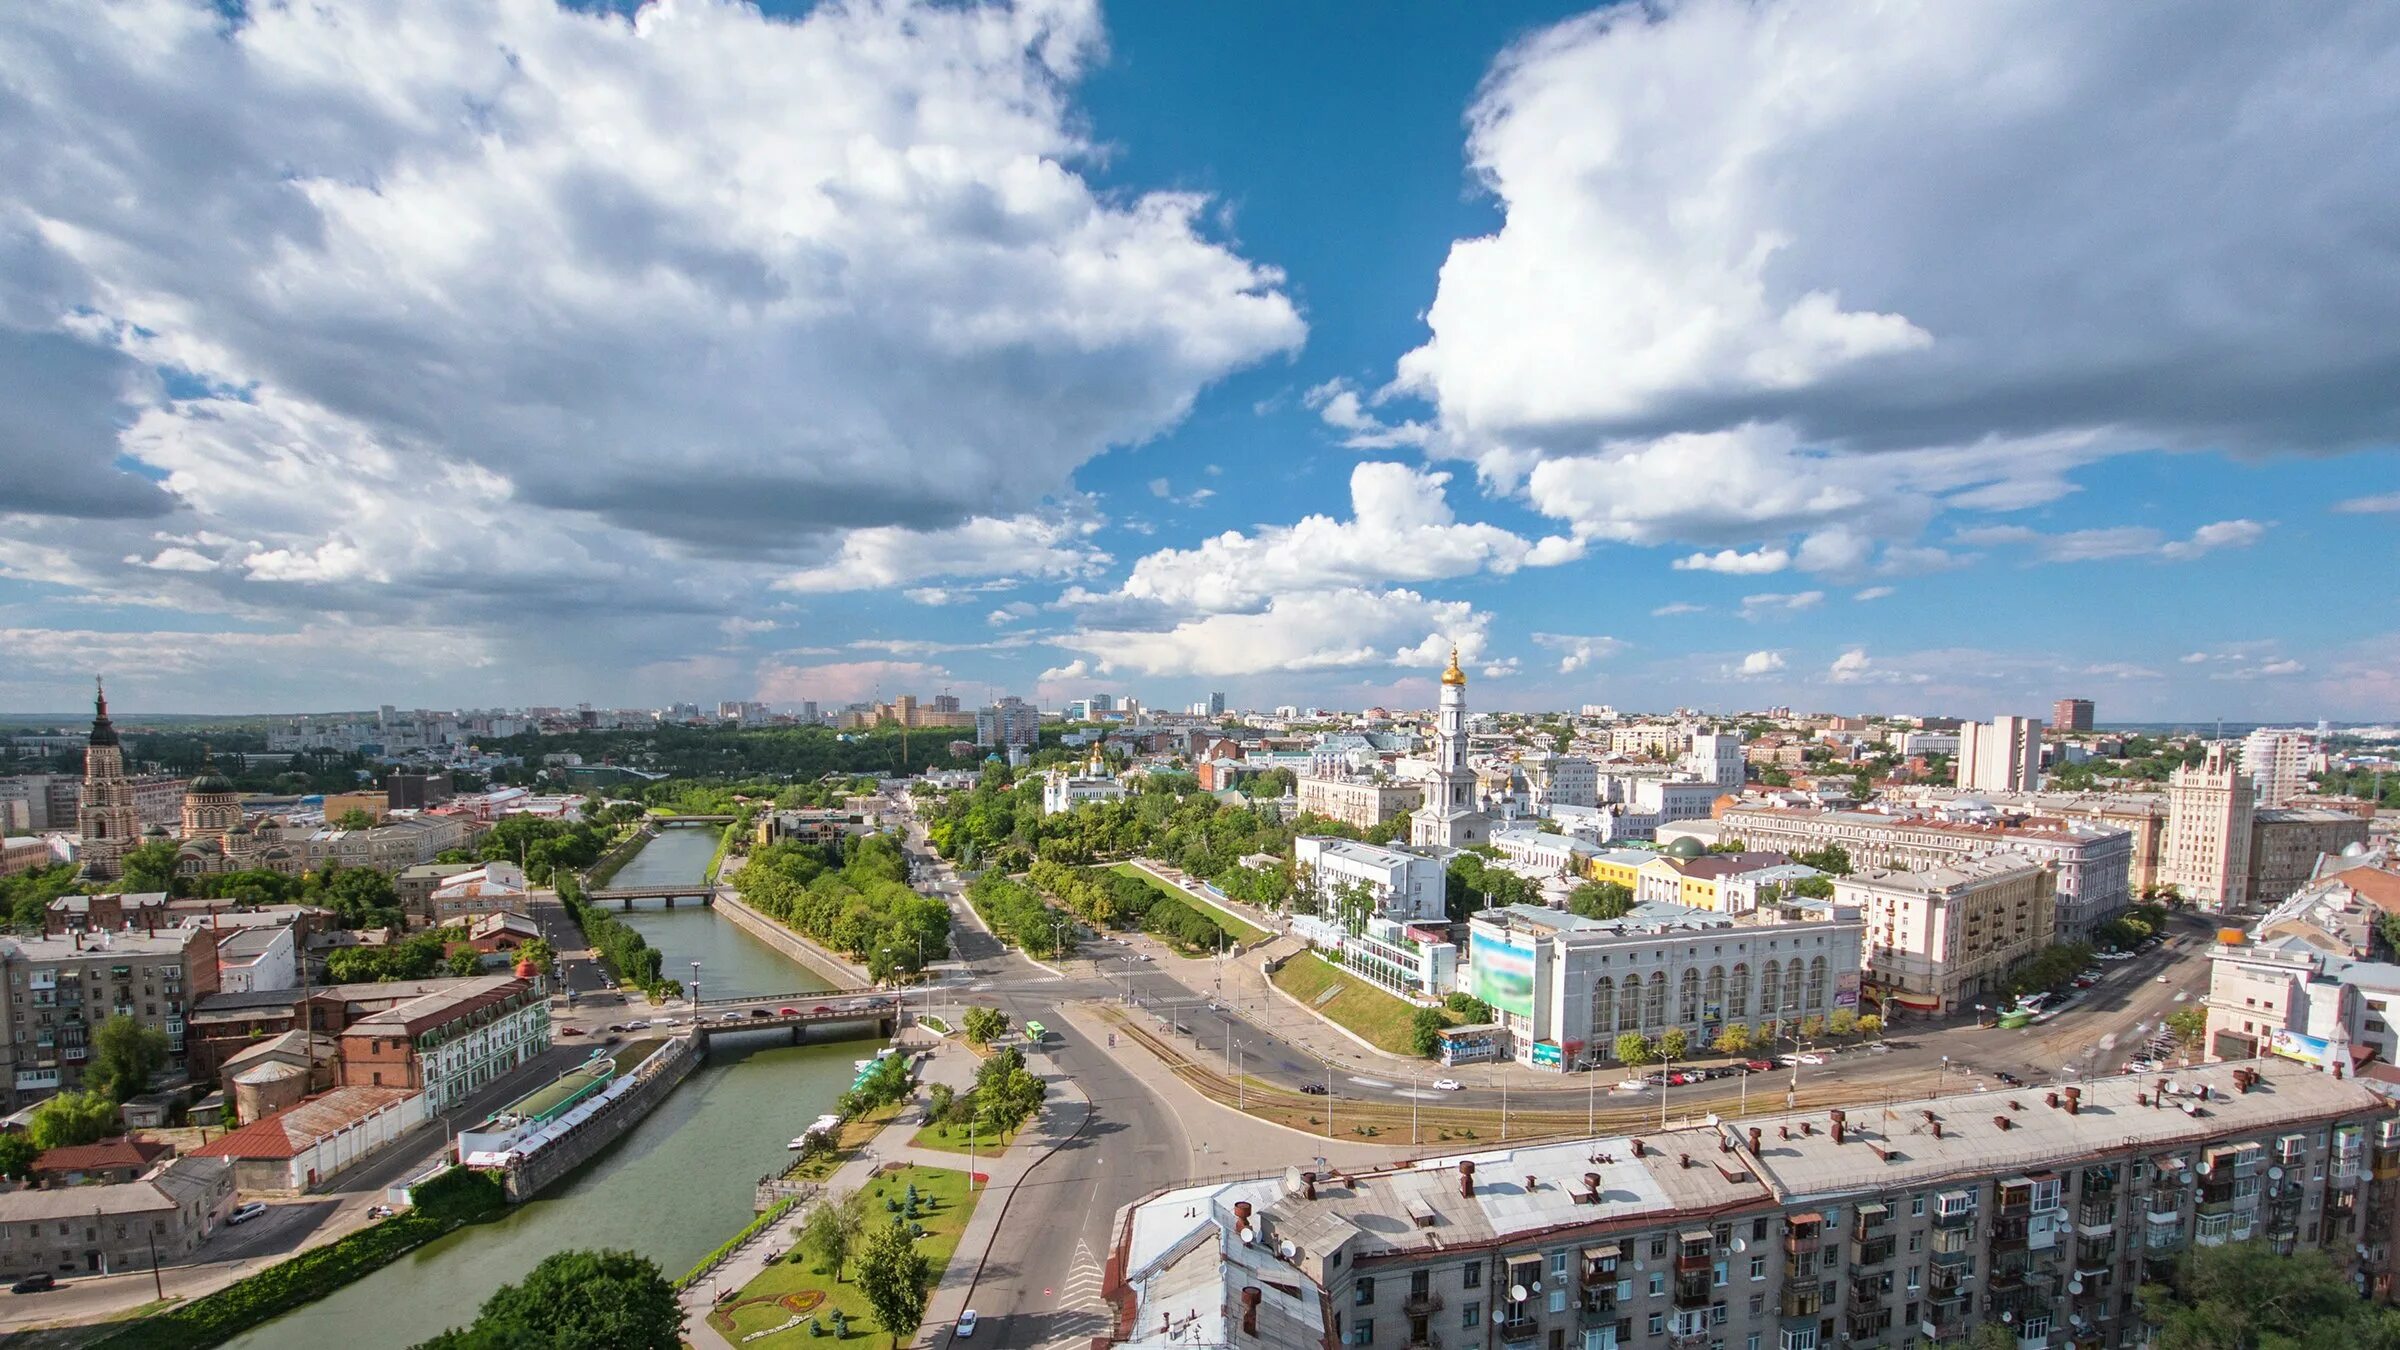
1062 1118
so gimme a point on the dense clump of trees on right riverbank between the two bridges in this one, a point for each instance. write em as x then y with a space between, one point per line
853 900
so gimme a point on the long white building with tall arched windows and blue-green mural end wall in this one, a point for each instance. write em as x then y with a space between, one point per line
1564 986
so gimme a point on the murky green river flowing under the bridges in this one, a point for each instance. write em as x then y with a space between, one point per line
676 1188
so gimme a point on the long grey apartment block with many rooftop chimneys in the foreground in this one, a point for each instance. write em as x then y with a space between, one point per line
1868 1226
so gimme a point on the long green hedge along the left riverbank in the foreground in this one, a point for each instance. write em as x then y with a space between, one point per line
448 1202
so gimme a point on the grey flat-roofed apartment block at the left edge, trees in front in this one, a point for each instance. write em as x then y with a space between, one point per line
64 988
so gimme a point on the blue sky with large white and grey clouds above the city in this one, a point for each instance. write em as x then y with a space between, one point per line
1712 354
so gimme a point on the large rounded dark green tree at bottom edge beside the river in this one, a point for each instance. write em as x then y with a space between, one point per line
577 1301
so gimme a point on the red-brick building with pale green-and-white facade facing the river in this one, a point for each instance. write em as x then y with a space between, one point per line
448 1044
